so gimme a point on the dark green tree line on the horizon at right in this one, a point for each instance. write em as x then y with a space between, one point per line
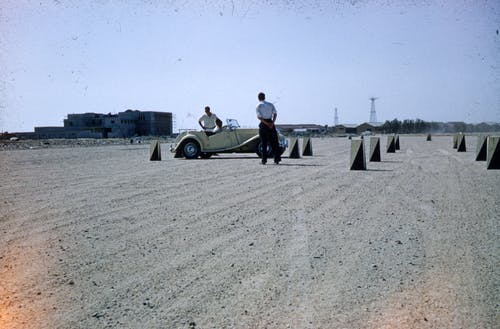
418 126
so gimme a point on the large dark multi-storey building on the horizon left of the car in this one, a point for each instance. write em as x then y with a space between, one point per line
122 125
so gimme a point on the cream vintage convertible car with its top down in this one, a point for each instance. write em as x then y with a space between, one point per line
230 139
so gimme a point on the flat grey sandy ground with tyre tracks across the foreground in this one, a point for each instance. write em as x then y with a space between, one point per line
100 237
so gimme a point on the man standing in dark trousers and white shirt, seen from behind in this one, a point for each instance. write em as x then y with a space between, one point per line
266 113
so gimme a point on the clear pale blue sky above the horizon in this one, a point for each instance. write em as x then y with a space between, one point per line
433 60
